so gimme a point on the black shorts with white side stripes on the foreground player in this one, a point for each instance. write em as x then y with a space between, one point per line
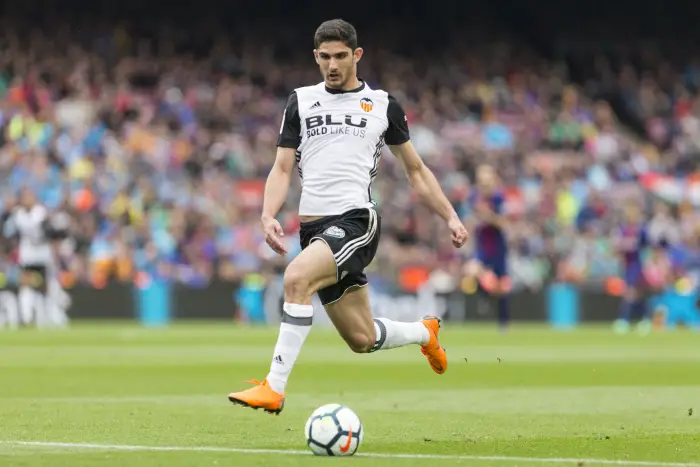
353 238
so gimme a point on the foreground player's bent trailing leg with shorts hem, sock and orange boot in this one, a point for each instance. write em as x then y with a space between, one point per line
348 306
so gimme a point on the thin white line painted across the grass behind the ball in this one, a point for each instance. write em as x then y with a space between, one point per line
541 460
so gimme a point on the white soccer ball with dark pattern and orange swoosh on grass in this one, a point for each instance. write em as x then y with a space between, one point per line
333 430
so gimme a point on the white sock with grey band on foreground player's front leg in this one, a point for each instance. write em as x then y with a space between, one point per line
296 325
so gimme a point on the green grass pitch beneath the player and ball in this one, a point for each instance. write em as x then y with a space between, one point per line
119 395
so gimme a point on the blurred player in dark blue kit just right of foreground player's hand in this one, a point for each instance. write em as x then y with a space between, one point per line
490 265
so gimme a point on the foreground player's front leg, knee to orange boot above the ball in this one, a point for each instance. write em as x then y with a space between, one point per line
313 269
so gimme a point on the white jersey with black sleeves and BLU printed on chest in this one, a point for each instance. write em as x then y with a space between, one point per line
339 136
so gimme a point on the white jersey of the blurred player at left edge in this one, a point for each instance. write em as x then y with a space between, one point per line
34 246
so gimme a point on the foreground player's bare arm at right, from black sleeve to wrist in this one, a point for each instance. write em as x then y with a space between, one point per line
423 181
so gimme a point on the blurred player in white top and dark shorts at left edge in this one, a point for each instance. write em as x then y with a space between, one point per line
40 294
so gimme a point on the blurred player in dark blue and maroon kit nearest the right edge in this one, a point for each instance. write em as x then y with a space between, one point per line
631 241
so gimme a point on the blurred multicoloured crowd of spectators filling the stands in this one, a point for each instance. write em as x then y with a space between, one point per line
159 152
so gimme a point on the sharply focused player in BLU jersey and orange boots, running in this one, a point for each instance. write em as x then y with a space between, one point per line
335 131
